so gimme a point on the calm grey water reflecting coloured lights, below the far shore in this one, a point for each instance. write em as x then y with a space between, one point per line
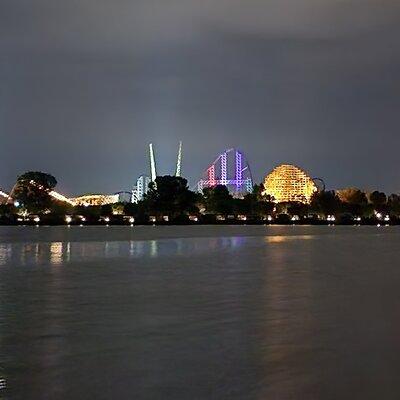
200 313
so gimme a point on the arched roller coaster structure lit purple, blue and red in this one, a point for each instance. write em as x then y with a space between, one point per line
231 170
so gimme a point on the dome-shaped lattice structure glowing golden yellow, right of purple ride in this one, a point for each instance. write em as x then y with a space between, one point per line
289 183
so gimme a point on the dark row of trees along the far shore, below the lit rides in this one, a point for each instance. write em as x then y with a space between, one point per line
169 199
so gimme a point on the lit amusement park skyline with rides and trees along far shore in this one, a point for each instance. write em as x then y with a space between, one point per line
224 193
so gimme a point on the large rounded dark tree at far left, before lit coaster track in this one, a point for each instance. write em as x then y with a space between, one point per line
32 191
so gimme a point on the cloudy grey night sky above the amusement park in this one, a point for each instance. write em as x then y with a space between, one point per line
85 85
